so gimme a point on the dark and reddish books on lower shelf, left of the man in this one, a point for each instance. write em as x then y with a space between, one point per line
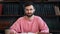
7 22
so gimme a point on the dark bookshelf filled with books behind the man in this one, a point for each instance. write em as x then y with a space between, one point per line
11 10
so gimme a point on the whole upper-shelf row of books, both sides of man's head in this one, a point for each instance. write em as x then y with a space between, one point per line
17 9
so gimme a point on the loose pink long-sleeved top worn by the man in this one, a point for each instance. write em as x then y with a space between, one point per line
34 25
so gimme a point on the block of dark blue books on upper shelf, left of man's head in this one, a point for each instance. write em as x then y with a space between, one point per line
10 9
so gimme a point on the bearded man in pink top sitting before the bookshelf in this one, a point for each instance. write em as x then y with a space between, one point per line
29 22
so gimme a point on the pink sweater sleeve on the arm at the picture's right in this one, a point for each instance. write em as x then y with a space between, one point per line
42 25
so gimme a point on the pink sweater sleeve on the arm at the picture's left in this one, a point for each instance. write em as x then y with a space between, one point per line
15 27
